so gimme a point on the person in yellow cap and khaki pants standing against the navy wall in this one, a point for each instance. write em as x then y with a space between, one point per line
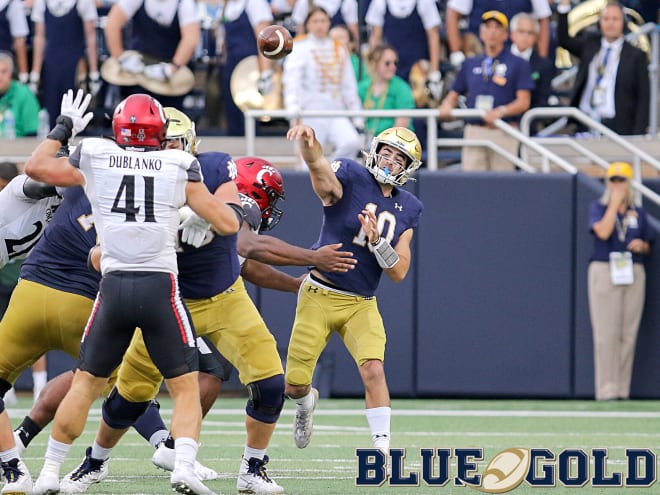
617 281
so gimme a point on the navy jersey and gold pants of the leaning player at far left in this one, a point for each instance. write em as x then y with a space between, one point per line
54 279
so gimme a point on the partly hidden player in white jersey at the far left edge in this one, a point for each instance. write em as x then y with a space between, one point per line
26 206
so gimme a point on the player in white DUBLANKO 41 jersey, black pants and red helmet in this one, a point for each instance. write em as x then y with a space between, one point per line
135 191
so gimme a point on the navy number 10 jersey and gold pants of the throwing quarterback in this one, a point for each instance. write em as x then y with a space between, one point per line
347 305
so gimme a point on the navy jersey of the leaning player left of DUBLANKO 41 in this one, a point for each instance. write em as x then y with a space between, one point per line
59 260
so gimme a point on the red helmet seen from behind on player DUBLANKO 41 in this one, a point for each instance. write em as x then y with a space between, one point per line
139 121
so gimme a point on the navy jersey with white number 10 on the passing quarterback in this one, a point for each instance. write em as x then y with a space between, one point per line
395 215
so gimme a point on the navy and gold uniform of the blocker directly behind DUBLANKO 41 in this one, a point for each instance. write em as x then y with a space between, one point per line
220 307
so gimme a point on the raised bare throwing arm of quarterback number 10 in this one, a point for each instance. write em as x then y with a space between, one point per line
324 181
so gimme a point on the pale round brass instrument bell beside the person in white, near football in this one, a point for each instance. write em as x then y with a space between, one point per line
243 87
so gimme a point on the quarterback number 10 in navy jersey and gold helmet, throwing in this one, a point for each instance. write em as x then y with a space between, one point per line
364 208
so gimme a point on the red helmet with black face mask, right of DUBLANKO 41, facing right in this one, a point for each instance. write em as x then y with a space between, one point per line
261 181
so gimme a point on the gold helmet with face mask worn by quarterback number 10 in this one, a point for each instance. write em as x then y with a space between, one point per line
403 140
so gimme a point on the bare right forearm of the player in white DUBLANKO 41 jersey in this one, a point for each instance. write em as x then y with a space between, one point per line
225 218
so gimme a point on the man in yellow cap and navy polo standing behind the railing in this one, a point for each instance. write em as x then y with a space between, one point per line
500 84
